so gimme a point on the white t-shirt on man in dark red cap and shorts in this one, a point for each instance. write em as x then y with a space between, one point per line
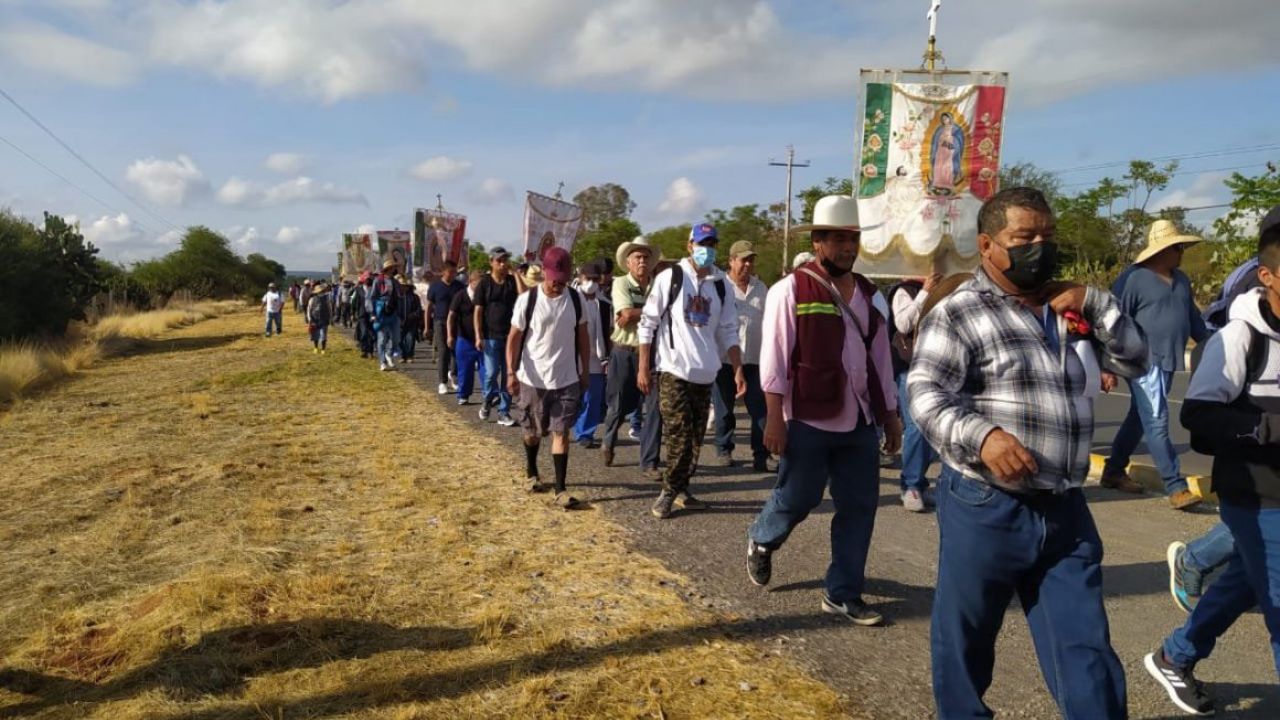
550 361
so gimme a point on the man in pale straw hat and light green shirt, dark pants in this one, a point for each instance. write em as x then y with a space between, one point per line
621 386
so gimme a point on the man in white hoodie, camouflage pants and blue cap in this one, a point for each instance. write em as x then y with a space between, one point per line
692 318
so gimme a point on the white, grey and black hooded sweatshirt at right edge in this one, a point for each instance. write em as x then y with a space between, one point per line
1238 417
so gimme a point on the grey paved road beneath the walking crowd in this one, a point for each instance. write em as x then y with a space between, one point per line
885 672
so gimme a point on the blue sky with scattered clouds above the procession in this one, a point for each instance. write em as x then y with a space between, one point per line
284 124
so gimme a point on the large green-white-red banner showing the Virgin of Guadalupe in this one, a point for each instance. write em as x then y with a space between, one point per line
930 158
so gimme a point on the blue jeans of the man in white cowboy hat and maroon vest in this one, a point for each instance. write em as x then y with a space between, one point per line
815 461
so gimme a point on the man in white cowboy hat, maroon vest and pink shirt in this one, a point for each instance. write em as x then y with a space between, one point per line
828 379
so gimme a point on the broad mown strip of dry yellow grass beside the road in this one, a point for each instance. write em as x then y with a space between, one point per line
231 527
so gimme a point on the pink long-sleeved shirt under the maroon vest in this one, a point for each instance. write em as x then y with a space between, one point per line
780 339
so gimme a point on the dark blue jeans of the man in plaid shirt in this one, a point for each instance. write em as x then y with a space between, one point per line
1046 550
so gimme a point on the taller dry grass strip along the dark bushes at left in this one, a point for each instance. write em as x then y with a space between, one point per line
30 367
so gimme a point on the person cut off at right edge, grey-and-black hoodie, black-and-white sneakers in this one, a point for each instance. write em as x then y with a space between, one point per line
1233 413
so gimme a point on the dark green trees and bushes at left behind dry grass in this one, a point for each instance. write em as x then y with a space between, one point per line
52 276
